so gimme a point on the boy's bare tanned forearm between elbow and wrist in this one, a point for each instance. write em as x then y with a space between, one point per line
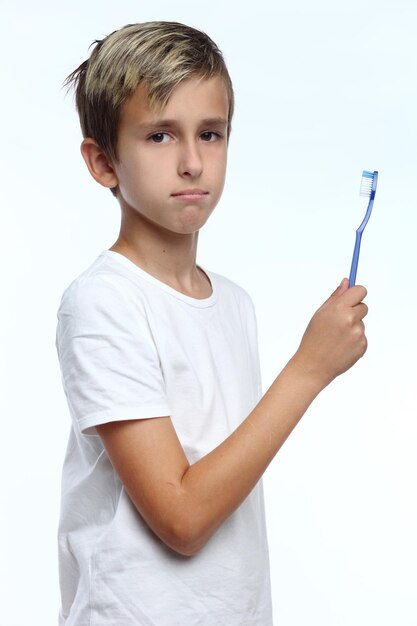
217 484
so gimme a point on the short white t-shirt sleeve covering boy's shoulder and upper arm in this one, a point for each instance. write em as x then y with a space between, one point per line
109 363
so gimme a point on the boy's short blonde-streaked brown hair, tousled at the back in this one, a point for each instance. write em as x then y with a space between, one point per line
159 55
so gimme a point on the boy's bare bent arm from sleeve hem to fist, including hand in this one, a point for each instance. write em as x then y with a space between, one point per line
184 504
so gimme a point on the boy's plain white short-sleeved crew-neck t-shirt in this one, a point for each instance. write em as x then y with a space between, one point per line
131 347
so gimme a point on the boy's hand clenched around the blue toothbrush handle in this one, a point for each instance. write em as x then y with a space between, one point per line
335 337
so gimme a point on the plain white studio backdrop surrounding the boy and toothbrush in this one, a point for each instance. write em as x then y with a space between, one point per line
323 90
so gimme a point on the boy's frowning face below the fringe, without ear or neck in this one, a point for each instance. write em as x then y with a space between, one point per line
171 164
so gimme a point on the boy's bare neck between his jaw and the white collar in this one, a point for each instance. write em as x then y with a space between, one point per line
167 256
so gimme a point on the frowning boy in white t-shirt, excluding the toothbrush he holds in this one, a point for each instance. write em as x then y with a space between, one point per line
162 519
